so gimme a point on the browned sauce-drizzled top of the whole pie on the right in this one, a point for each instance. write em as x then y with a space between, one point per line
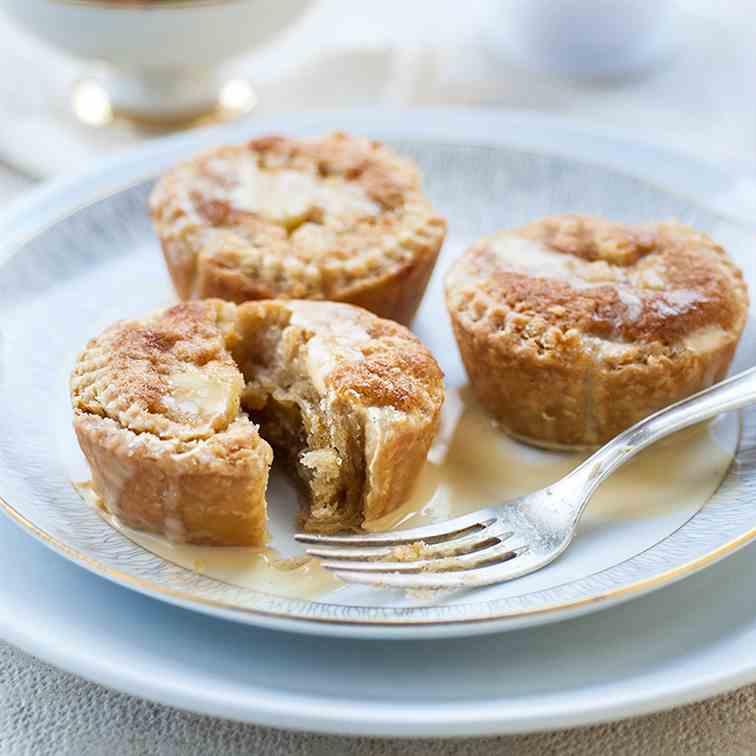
632 289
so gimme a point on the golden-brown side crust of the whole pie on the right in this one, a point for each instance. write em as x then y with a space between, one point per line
582 407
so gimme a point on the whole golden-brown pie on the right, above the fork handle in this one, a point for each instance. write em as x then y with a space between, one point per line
573 328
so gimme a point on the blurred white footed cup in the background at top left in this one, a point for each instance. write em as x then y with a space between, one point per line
161 58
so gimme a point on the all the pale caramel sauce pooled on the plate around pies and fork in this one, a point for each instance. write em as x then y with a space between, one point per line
472 465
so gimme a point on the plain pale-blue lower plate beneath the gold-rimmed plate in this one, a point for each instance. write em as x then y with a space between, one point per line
690 641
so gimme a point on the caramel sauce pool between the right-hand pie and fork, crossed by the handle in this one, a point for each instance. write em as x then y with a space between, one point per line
473 464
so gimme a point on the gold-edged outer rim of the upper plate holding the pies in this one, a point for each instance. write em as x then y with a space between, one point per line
169 149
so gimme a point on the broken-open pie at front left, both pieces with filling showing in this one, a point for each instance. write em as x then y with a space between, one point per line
351 401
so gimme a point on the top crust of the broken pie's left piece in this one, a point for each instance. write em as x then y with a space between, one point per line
169 375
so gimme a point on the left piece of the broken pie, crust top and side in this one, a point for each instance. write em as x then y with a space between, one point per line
157 415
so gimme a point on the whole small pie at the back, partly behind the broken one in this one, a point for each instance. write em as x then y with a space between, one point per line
337 218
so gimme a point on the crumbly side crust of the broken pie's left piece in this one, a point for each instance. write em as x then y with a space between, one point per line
156 485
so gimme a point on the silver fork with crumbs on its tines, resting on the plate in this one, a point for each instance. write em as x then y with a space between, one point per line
521 535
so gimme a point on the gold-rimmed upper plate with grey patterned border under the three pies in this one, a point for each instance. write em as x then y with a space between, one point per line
83 254
